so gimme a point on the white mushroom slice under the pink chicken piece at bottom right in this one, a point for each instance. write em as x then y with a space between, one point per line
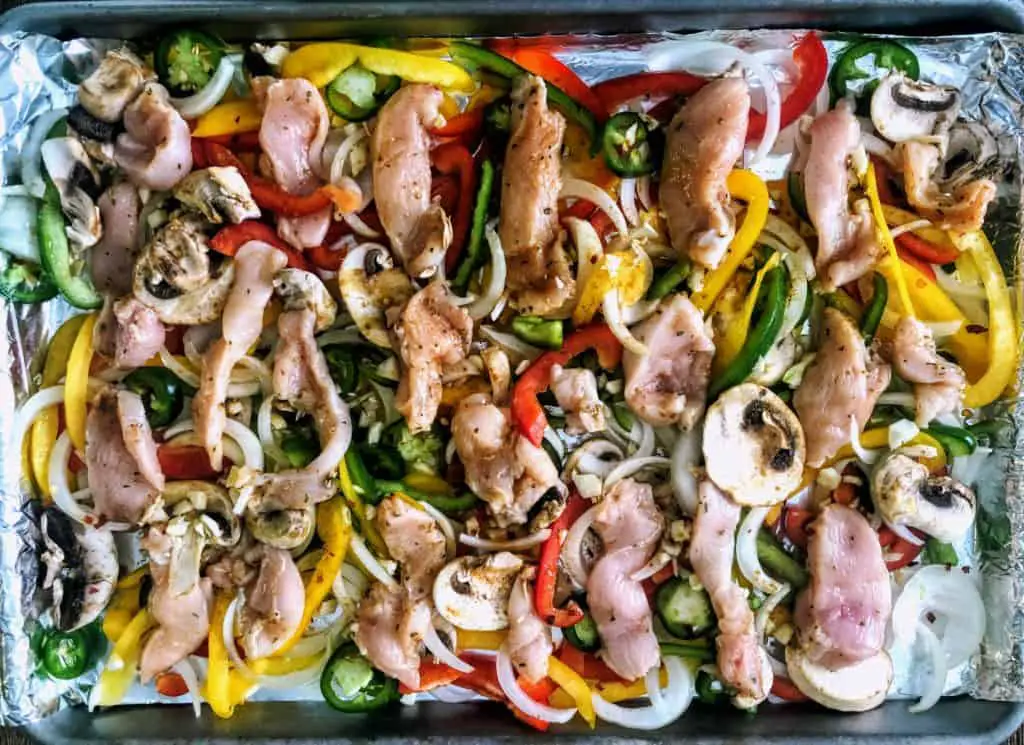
857 688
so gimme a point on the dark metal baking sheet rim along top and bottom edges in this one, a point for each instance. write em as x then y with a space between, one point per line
954 721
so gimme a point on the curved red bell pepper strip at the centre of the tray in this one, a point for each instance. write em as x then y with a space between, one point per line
528 414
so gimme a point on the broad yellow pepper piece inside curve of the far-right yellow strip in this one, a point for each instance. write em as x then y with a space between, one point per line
934 305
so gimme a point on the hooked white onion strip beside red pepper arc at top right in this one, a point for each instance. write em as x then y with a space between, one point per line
681 56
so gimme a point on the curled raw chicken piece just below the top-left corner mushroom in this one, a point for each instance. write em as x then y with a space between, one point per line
156 148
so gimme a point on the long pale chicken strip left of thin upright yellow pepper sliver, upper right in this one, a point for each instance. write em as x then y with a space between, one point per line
848 247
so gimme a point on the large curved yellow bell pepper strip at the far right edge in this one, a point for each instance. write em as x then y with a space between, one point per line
1003 340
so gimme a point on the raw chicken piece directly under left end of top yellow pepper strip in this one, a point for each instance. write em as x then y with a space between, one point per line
292 134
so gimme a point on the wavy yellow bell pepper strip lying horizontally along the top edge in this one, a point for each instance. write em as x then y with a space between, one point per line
322 63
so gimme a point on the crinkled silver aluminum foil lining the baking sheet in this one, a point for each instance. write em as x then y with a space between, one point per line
38 73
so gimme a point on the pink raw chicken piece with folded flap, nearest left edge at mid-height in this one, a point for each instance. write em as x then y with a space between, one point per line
121 492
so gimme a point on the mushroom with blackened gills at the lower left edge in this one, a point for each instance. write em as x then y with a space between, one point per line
81 569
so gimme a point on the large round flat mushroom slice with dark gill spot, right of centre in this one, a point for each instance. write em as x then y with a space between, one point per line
754 446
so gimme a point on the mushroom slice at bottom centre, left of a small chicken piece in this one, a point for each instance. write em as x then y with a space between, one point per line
473 593
